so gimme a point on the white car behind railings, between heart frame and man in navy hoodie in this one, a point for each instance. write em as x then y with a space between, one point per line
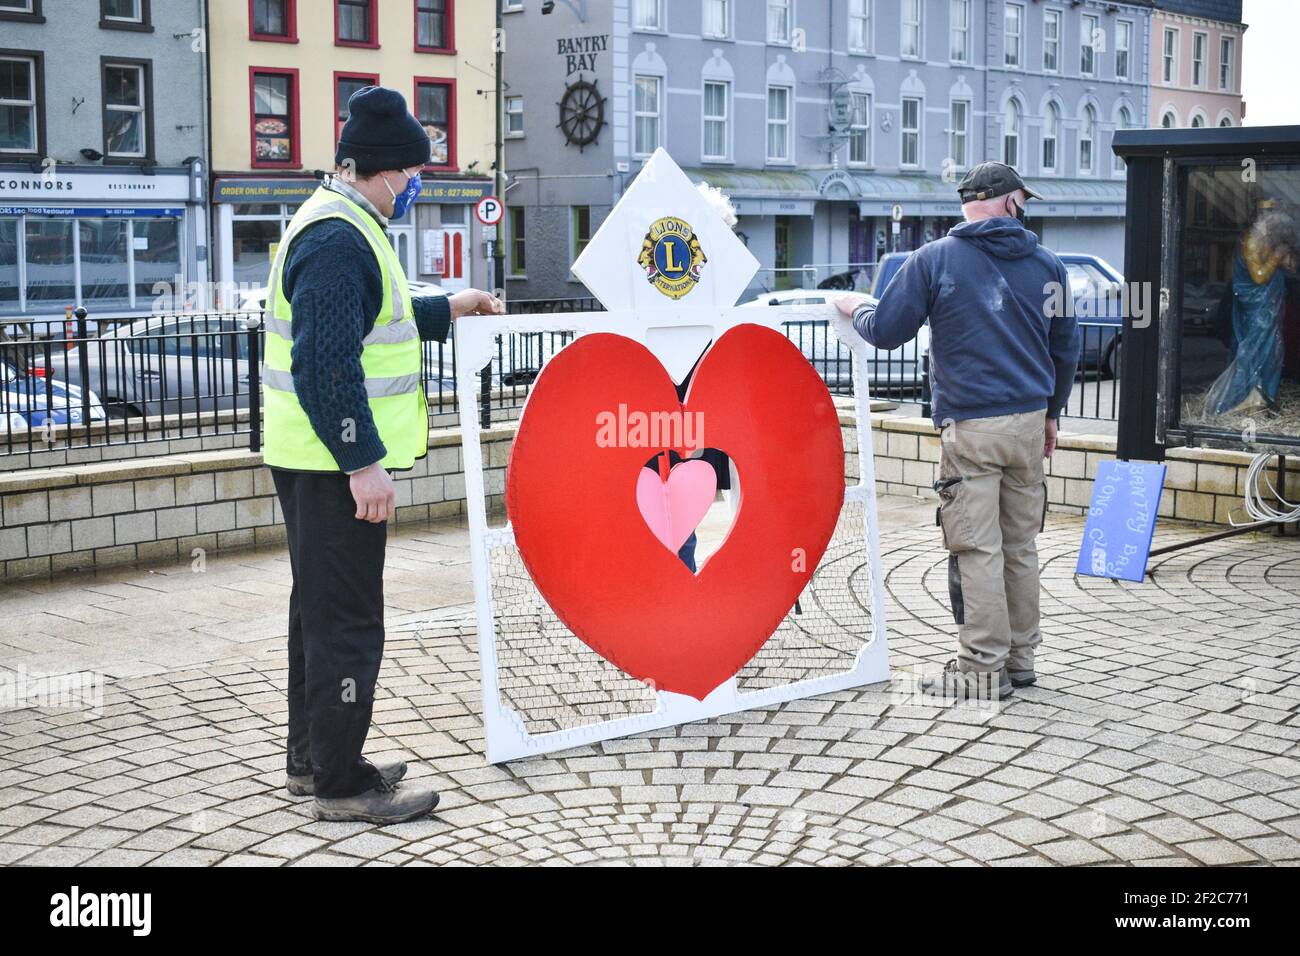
899 369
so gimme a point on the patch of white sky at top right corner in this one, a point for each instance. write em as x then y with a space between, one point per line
1269 72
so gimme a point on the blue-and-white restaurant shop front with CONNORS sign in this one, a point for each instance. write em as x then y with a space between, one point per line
119 244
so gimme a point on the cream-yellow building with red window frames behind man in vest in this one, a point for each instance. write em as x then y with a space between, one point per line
283 72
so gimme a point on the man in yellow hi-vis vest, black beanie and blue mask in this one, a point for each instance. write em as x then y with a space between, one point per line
345 405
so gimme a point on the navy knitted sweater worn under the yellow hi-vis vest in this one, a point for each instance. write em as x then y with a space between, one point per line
336 289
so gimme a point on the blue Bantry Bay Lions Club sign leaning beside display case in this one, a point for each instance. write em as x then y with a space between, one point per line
1121 520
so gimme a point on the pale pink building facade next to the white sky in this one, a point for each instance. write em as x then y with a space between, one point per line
1197 64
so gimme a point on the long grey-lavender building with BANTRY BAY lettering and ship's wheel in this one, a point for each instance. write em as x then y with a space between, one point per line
839 128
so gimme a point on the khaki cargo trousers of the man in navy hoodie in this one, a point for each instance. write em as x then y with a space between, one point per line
993 505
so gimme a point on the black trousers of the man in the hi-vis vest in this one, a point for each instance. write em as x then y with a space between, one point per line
336 630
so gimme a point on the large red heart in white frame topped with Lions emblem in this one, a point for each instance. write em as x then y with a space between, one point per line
592 624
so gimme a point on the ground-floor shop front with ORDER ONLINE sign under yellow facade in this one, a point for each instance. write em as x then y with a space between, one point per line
439 241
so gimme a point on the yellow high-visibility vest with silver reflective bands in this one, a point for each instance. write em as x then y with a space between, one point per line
391 357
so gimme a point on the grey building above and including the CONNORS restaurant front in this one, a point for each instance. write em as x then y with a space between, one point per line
102 145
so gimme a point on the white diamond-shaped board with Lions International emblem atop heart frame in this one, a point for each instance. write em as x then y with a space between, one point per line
664 246
